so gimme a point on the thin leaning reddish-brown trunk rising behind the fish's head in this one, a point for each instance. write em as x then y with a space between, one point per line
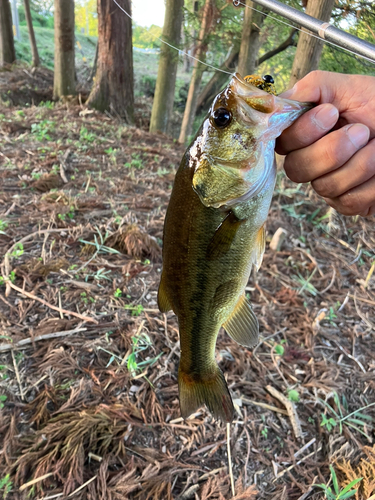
198 68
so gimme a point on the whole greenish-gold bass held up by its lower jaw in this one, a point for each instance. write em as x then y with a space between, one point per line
214 234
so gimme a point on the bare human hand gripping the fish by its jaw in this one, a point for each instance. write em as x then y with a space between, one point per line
339 163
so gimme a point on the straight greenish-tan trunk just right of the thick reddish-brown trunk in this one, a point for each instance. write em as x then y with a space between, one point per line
166 80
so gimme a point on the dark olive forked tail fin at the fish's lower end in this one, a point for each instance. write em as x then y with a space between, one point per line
209 389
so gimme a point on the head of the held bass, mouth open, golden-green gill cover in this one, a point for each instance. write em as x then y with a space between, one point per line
233 162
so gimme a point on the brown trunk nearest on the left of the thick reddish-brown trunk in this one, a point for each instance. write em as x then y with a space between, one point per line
64 75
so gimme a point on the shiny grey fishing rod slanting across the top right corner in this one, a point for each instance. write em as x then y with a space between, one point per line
325 31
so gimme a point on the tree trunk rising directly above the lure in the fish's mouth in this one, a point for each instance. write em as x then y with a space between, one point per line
250 41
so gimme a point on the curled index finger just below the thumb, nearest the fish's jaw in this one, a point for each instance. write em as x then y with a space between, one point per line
307 129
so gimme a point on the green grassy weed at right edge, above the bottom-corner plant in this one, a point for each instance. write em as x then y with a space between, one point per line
355 419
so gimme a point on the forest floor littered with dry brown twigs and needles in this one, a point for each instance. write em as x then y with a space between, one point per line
88 365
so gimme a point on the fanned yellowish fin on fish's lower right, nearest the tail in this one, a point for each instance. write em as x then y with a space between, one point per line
242 325
